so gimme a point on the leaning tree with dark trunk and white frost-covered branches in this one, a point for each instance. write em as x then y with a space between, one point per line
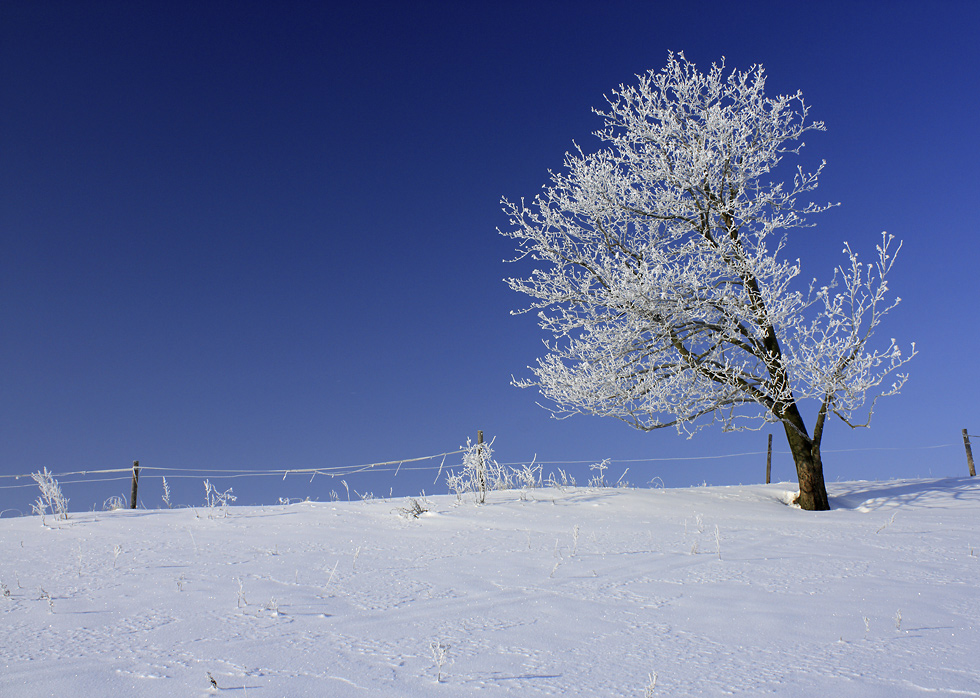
659 271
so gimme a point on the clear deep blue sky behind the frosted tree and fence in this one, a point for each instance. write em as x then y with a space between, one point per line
262 235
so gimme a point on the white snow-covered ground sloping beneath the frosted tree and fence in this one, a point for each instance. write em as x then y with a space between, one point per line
582 592
